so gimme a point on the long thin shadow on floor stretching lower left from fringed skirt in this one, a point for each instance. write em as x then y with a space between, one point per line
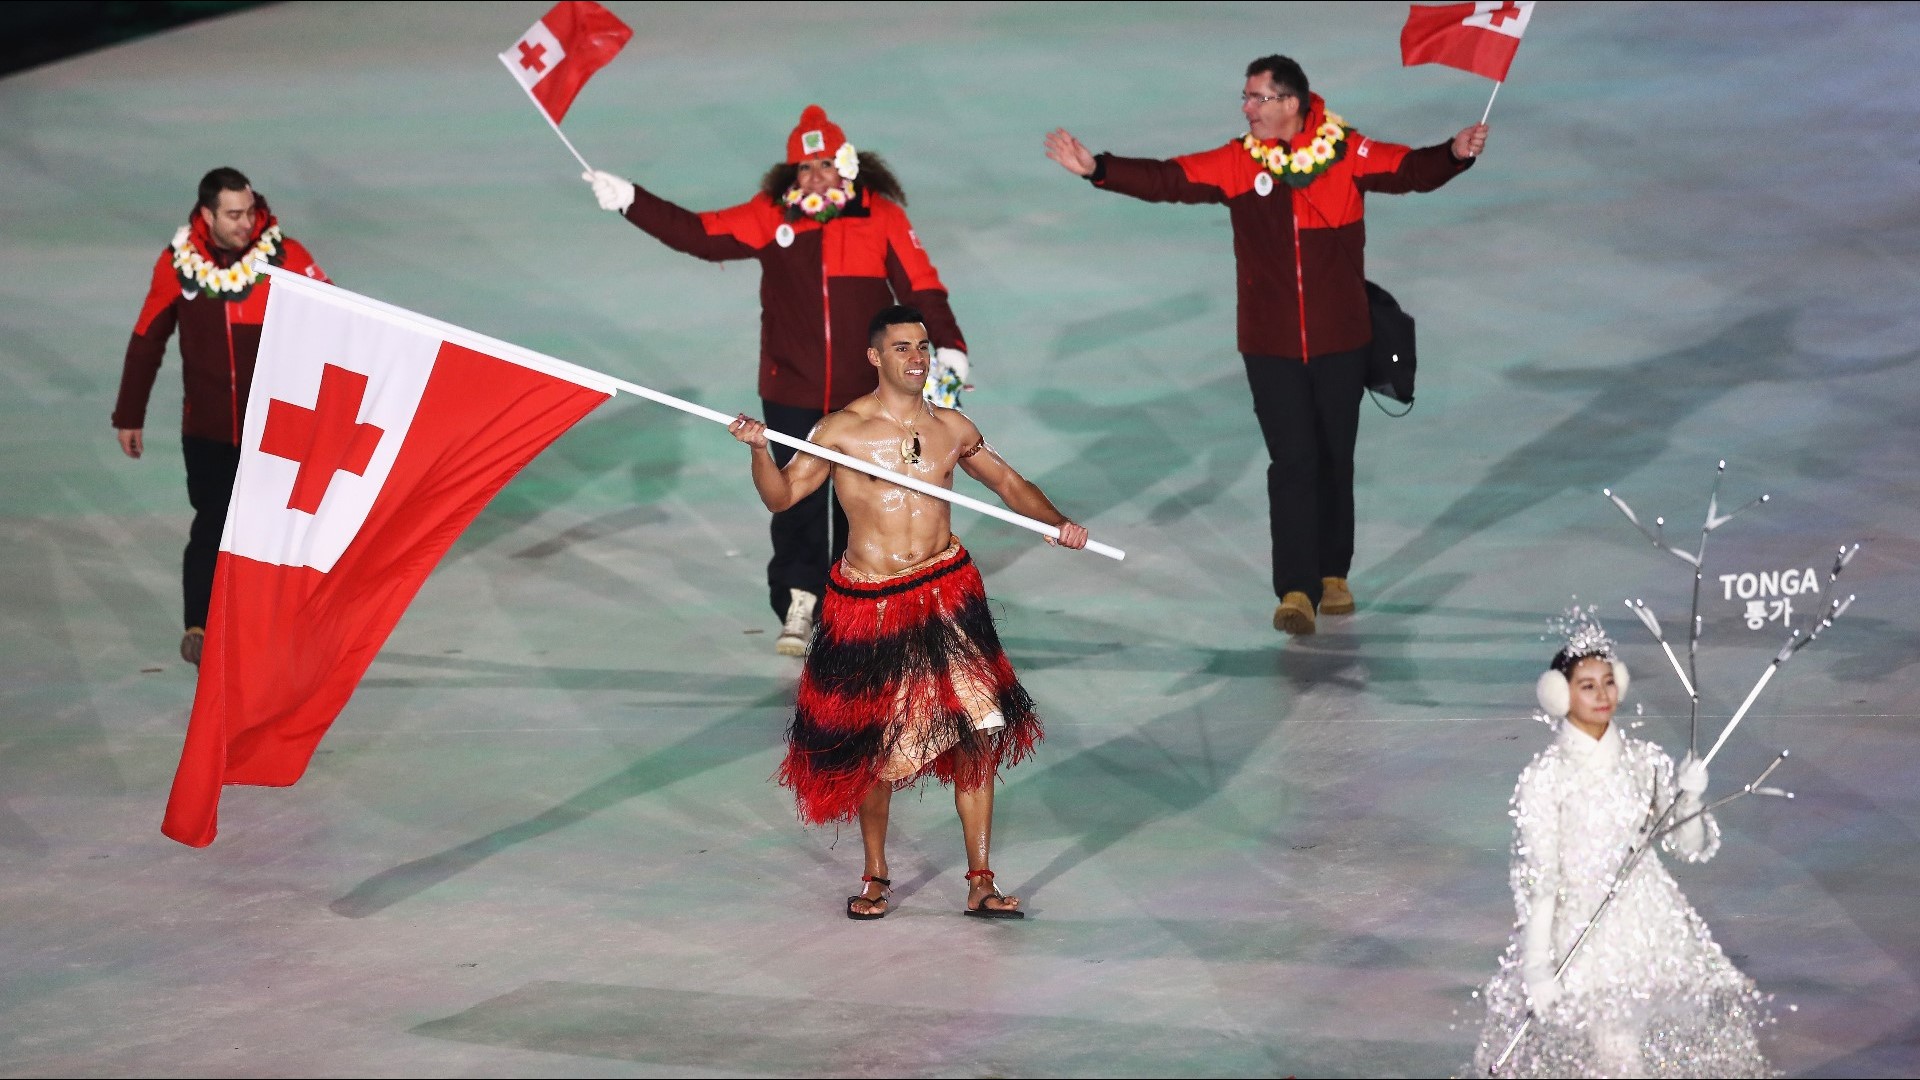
734 739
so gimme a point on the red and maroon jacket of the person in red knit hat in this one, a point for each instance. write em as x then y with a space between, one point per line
819 285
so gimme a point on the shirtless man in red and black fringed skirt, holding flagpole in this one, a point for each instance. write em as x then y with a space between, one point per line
905 677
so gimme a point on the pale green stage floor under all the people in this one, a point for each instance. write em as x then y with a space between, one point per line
542 837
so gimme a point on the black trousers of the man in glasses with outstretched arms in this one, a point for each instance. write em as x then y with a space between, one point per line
1310 418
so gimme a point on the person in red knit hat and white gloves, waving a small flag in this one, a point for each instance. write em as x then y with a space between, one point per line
834 247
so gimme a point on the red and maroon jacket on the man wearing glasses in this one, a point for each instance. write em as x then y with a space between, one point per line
1299 253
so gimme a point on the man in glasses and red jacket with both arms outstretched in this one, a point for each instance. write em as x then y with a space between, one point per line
1295 191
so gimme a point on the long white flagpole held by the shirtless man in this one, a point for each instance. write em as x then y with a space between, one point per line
588 378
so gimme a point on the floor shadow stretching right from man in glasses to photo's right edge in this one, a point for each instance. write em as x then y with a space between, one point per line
1621 428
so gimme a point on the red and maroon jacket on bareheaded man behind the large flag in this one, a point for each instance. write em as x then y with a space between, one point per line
220 335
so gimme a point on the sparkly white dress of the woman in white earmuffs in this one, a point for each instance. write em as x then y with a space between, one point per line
1650 993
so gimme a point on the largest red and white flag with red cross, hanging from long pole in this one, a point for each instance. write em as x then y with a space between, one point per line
373 437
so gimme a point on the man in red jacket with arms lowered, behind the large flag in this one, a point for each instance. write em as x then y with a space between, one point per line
206 285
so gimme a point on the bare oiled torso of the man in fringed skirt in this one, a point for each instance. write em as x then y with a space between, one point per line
894 529
